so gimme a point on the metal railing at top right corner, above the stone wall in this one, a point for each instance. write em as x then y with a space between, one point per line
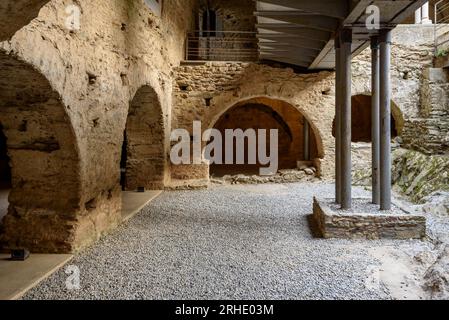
441 26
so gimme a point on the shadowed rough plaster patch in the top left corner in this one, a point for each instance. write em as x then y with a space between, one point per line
15 14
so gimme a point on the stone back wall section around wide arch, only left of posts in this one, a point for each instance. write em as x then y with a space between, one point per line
207 91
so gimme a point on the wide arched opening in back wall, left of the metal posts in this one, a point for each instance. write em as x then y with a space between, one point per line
264 113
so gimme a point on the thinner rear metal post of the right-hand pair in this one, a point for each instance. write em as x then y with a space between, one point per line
375 119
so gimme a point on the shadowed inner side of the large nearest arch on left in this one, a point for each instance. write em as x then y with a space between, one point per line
44 158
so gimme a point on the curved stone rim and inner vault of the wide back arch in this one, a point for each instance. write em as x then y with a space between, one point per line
287 115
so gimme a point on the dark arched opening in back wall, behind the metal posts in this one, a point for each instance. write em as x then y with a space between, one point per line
361 119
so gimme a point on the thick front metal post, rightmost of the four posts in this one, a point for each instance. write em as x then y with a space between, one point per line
385 119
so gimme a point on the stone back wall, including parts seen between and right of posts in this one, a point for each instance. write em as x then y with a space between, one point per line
223 85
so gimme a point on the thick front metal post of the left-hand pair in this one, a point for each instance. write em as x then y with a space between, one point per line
346 179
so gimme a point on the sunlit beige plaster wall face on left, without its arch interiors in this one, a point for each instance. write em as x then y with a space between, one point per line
120 47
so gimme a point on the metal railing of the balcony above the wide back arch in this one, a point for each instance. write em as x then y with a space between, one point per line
222 46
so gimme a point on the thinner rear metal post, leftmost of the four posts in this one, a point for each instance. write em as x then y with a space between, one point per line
337 121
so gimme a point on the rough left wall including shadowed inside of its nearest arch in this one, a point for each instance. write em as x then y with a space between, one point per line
65 131
